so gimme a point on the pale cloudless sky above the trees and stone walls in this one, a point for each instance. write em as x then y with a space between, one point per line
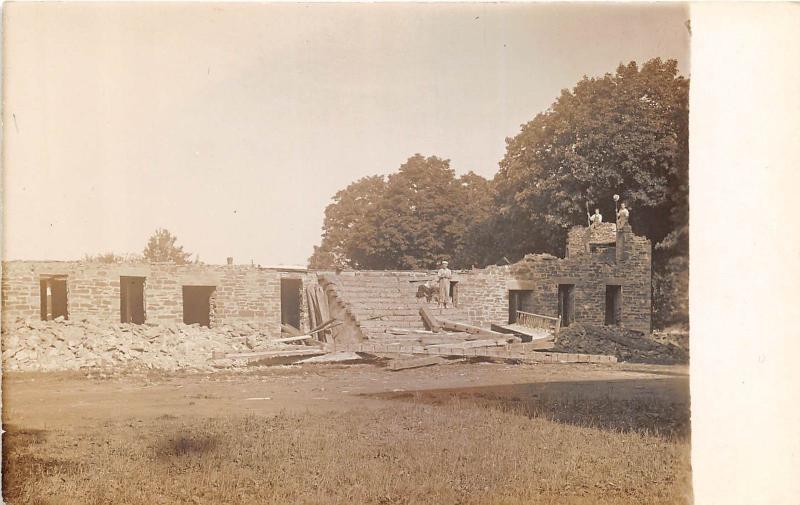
233 125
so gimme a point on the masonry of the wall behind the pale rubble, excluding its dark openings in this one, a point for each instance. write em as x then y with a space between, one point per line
242 293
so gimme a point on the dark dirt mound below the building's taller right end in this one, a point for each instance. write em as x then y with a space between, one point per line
626 345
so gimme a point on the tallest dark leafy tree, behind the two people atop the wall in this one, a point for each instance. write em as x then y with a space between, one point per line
624 133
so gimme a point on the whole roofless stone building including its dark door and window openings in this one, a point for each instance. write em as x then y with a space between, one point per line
604 279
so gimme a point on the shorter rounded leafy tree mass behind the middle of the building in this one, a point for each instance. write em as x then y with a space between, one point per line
413 219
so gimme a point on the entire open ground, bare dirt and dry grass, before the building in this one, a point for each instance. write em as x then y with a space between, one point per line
63 427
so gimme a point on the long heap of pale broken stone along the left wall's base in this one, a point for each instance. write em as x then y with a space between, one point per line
78 344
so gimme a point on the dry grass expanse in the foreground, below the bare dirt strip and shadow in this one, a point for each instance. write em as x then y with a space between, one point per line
412 453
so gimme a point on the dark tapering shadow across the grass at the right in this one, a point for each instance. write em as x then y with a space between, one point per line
657 406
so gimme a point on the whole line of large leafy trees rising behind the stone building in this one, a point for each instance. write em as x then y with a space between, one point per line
624 133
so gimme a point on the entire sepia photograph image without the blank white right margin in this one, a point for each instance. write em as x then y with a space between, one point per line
331 253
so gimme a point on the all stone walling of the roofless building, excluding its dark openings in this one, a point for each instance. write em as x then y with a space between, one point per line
252 294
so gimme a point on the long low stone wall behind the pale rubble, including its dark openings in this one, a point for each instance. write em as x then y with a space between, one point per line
167 293
